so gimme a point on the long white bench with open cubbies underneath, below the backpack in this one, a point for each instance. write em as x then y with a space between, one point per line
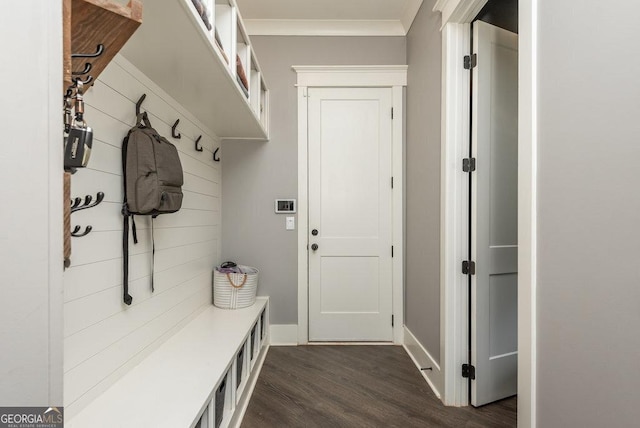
201 377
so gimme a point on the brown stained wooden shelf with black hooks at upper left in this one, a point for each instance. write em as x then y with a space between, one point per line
93 22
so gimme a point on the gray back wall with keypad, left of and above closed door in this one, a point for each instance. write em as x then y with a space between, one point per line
254 174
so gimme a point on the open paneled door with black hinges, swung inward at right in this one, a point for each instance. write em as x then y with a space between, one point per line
494 214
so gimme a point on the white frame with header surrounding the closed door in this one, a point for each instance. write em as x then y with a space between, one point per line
389 76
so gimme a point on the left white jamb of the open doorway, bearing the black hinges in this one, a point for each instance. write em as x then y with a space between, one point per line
454 203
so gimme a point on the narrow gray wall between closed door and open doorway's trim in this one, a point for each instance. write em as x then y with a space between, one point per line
422 280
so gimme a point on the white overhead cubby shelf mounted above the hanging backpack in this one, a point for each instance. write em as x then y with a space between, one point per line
176 51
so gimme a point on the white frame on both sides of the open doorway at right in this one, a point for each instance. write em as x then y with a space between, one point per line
456 18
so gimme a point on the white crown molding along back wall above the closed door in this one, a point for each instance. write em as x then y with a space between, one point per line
319 27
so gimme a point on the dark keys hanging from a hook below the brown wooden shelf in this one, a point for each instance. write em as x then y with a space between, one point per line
80 137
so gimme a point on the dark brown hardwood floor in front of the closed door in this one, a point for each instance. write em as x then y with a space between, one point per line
356 386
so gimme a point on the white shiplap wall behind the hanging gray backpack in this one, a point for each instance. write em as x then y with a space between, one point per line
104 338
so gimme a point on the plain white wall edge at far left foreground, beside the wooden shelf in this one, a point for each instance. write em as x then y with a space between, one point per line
31 210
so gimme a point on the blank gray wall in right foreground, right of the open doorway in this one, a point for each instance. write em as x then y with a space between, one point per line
589 208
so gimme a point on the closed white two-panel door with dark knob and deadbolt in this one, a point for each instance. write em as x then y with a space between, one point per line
350 276
